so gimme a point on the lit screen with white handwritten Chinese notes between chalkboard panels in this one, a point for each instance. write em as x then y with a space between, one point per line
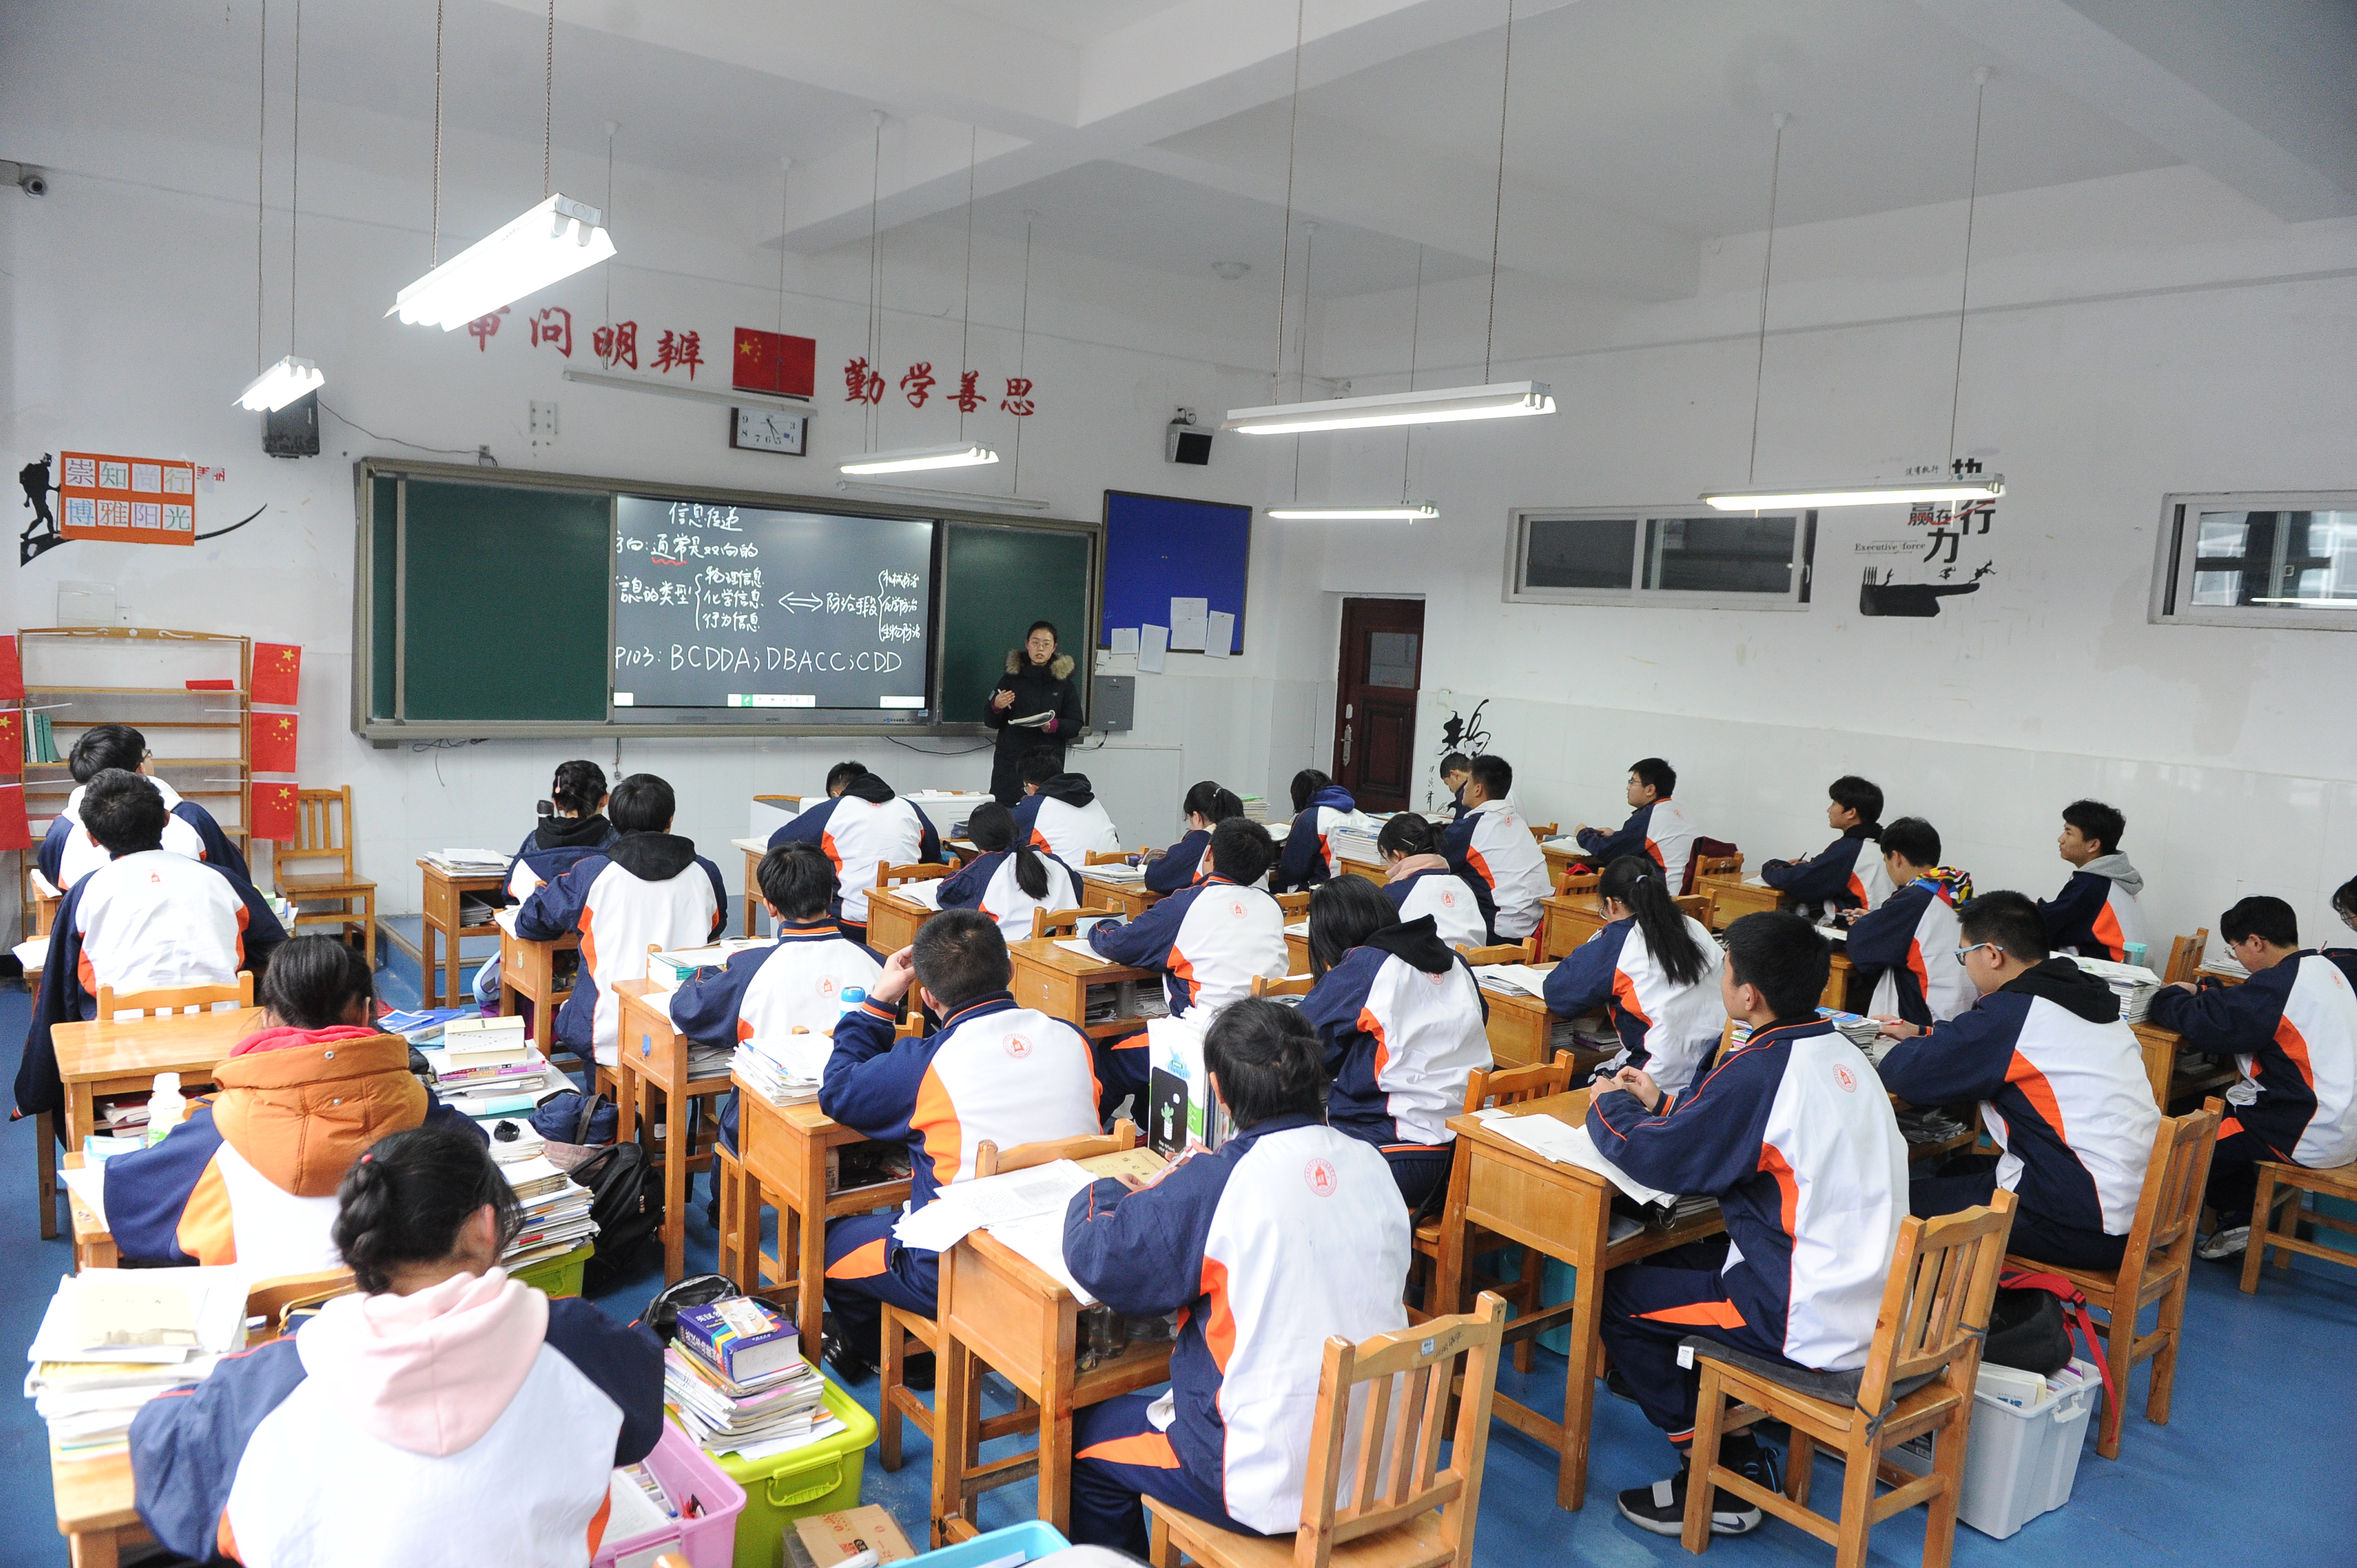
737 607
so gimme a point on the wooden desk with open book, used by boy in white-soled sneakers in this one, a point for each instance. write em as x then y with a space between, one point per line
1566 1213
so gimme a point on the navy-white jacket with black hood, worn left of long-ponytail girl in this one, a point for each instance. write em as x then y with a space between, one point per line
1404 1027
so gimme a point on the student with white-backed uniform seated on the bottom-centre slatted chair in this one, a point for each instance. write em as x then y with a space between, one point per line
1281 1239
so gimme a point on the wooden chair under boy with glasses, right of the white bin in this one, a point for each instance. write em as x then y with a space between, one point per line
2155 1267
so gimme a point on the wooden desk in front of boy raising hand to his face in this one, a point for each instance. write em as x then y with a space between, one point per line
784 1152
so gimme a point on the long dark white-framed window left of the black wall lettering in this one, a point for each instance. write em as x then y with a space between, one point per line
1663 558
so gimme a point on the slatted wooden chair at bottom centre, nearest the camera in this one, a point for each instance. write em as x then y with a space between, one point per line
1404 1513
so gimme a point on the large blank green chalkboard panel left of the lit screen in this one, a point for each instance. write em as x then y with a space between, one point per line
503 602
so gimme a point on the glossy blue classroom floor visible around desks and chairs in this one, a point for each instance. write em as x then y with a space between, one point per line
2264 1435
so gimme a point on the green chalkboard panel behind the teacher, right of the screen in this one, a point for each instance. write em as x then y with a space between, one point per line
996 584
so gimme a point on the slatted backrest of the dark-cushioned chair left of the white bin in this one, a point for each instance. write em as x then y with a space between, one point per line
1936 1305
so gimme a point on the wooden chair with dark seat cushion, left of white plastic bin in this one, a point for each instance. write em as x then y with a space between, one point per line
1917 1378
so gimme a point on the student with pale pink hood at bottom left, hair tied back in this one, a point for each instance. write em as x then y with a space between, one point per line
447 1414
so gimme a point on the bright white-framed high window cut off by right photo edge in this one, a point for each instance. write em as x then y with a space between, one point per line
2259 560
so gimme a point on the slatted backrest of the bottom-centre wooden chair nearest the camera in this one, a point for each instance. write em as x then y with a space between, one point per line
1413 1378
